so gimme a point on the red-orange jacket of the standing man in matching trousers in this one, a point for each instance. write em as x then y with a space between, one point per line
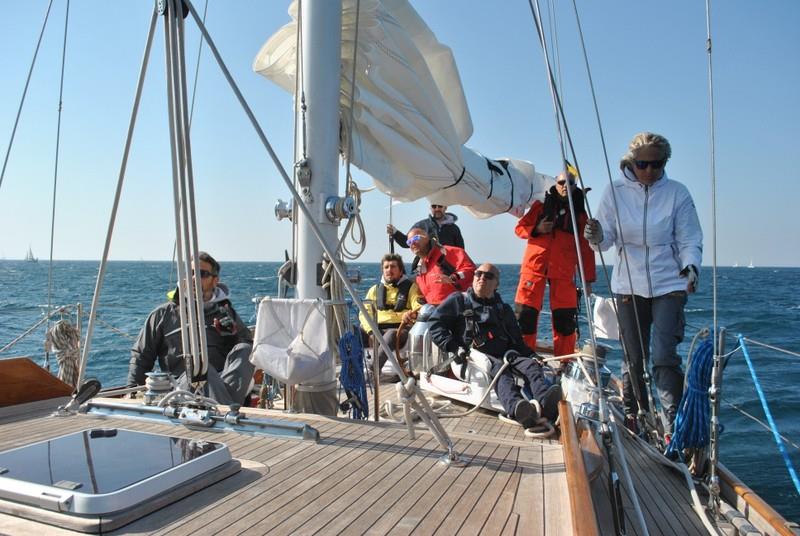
553 255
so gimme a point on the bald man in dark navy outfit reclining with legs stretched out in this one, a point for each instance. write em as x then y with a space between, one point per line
479 319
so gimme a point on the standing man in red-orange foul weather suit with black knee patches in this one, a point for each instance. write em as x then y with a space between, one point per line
550 257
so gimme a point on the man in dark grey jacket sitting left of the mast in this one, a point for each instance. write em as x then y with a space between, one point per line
227 338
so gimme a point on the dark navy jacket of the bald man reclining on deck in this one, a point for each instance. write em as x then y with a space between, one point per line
496 331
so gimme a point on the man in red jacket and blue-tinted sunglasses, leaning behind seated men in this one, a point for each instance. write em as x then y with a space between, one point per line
442 270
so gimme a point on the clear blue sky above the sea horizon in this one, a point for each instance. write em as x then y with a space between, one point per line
648 62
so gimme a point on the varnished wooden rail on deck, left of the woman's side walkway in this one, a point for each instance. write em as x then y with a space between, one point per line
584 518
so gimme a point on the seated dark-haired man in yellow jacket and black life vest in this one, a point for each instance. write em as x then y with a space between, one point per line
396 300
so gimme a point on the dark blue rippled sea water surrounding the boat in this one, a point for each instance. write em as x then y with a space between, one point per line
761 303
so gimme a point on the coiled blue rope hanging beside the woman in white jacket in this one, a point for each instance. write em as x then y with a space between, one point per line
693 418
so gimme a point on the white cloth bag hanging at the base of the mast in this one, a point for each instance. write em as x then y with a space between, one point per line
291 342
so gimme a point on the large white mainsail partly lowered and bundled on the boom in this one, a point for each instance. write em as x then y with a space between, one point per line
410 115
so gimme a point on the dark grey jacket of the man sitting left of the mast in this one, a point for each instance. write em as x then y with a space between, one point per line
160 338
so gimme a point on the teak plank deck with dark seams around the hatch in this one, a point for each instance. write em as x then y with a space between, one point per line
370 478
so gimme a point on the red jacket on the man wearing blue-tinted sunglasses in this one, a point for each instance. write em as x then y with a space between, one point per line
431 272
